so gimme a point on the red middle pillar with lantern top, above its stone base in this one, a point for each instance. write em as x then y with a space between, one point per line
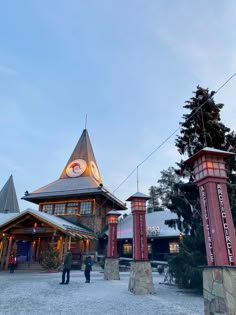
138 208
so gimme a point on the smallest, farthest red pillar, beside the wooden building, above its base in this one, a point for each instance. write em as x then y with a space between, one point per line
112 233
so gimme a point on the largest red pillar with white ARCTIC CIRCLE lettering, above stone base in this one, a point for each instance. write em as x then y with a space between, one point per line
219 232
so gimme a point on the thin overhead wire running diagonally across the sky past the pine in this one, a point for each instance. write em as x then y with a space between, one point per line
174 132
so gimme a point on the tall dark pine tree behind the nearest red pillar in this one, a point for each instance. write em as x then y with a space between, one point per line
202 127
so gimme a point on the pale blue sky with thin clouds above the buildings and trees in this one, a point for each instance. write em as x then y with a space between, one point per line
128 65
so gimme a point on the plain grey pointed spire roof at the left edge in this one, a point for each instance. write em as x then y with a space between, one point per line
8 198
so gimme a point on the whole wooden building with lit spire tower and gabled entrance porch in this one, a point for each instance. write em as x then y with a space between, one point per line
71 212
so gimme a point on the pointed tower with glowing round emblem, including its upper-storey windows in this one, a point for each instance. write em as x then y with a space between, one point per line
79 193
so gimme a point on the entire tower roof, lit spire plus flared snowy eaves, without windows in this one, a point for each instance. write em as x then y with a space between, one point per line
80 177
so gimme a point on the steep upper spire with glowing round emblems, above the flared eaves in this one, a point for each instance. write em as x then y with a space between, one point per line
82 162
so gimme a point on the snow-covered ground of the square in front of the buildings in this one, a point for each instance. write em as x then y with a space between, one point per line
40 293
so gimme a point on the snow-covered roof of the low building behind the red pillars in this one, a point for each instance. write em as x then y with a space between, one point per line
153 220
